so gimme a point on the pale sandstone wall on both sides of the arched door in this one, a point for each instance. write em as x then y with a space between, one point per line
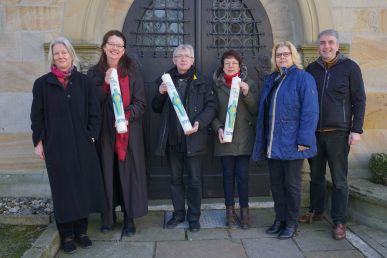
25 25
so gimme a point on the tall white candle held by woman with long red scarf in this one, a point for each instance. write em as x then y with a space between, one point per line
118 107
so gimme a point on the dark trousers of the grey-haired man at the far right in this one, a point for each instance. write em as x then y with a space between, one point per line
333 148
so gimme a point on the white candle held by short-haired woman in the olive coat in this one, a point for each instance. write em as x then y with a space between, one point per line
231 109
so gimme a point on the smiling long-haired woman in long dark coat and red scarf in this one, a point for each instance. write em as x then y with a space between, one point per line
122 155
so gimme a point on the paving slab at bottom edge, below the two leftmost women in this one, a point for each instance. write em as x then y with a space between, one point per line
114 249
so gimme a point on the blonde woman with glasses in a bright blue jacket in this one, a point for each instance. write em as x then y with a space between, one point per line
285 134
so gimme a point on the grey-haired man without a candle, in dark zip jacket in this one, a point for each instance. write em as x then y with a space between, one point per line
342 105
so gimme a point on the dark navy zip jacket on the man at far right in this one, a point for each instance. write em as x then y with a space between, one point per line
341 94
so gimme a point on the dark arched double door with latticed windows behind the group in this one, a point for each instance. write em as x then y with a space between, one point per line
155 27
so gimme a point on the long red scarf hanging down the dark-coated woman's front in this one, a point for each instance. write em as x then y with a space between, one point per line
122 139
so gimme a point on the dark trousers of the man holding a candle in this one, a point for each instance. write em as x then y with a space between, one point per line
177 161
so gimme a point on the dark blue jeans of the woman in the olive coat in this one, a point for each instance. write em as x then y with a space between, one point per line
236 167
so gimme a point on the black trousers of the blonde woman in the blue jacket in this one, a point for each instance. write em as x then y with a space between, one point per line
285 183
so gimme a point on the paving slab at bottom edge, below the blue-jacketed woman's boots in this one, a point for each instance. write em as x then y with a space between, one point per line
271 247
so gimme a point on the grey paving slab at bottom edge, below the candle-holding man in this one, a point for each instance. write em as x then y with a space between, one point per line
200 248
